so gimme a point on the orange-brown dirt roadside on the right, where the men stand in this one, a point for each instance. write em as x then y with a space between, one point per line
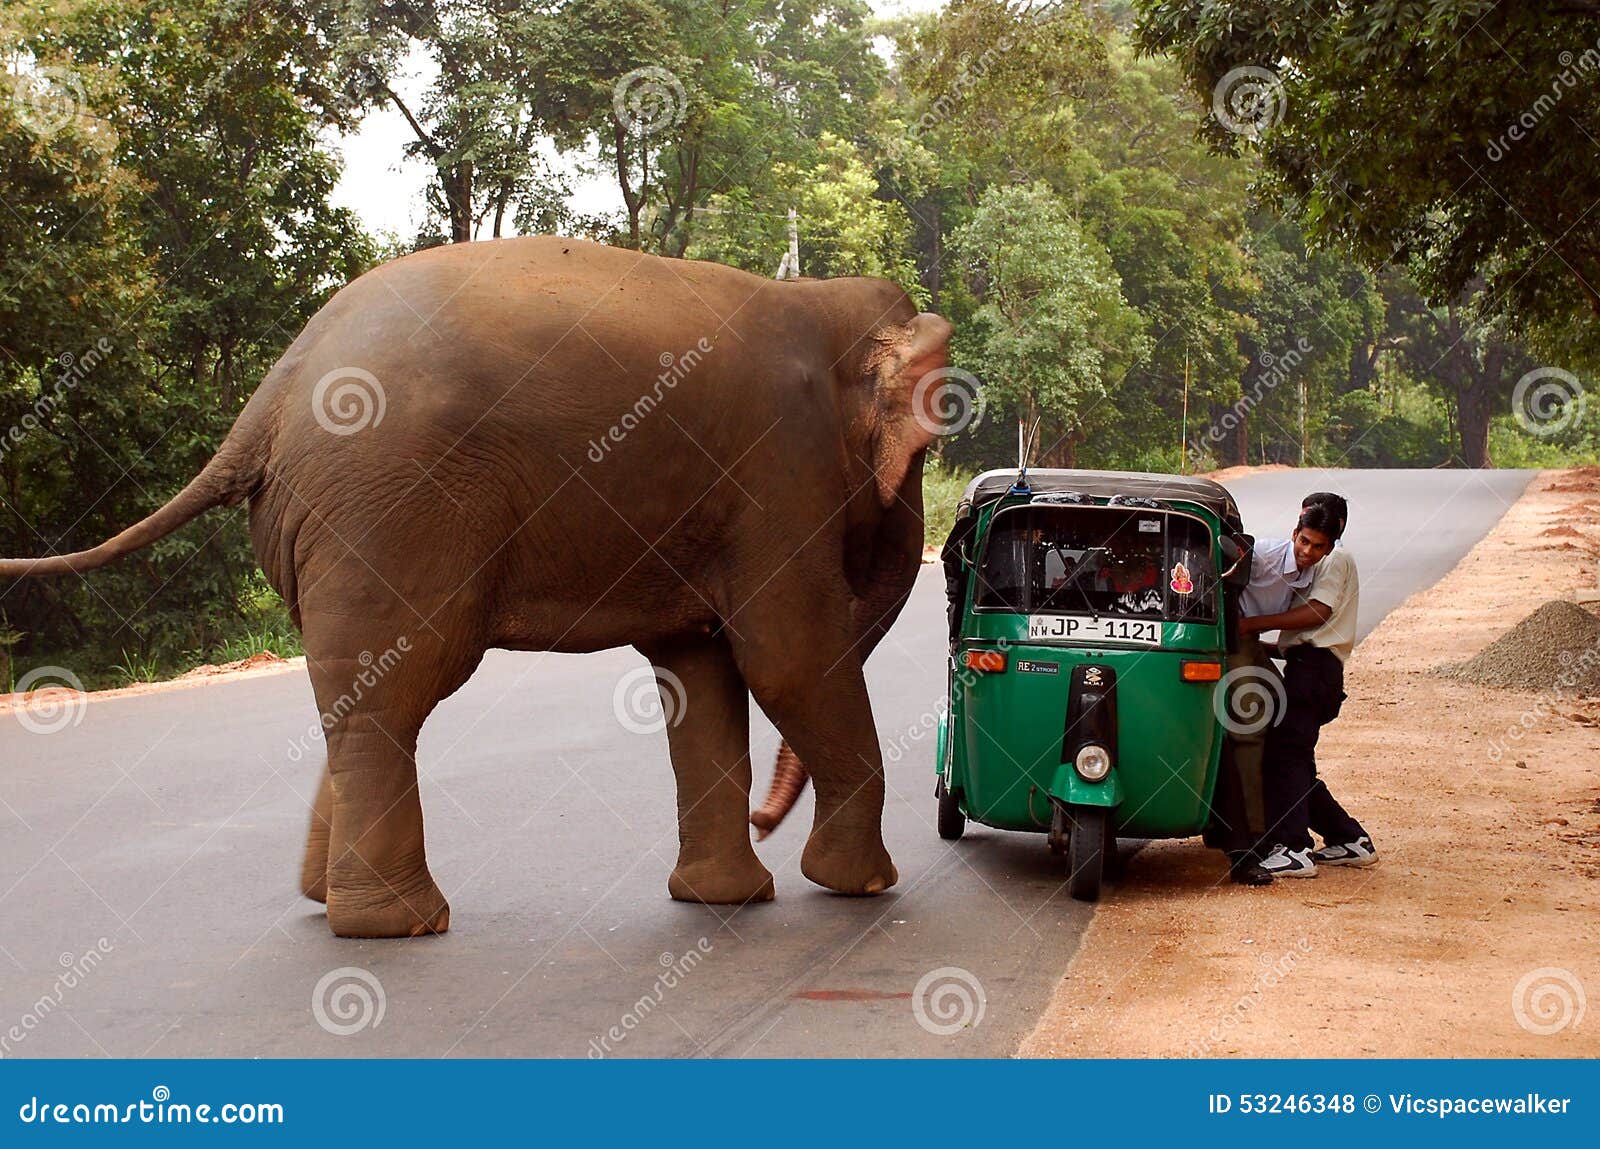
1478 934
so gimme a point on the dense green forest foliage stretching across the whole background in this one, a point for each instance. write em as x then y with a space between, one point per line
1172 236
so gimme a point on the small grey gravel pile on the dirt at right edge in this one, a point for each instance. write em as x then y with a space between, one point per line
1558 647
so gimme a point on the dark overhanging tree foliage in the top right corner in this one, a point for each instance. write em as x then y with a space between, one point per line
1454 137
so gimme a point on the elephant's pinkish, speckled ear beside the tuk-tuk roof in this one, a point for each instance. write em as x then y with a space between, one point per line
908 372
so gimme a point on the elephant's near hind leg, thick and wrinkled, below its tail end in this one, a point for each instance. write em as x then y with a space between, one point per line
374 707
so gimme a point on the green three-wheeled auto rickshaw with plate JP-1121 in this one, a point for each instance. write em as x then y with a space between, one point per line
1090 625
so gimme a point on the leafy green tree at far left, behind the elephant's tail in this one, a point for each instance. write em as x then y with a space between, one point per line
209 114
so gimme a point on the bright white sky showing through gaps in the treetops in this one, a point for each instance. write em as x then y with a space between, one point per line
386 190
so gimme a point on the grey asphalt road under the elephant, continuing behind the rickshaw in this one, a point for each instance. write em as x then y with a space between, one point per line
148 863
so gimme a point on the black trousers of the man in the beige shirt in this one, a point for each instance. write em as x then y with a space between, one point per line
1298 803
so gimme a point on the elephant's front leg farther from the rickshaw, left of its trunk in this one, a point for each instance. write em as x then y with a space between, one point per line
710 732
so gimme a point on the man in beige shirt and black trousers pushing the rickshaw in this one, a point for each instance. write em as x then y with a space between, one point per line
1316 638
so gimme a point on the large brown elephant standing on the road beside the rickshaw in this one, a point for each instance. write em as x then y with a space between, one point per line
548 444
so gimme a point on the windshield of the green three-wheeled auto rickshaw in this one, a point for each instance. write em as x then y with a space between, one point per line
1098 561
